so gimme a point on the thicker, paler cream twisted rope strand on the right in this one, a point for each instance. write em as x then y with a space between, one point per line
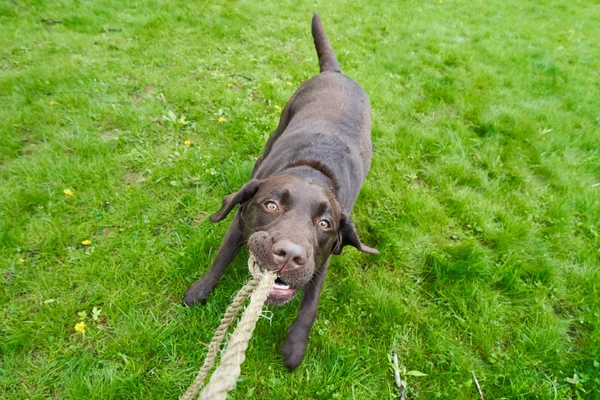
225 376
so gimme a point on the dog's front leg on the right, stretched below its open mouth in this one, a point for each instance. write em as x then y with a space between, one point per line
295 344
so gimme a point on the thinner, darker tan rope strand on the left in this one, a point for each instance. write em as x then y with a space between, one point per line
215 344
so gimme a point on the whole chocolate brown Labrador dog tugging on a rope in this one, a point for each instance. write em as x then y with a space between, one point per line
294 213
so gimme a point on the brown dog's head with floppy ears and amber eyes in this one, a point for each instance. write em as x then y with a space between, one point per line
291 225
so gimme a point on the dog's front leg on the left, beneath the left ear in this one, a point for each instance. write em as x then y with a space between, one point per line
232 243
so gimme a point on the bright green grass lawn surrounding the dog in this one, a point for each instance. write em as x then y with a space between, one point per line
483 196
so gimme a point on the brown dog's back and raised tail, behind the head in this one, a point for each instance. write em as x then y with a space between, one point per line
326 125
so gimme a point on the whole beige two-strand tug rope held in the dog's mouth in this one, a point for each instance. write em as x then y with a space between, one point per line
225 376
